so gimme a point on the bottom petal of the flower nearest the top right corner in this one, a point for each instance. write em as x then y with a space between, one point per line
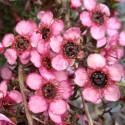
97 32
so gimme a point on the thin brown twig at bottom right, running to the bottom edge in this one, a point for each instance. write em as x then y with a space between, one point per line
90 121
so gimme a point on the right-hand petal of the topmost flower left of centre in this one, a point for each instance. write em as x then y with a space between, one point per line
57 27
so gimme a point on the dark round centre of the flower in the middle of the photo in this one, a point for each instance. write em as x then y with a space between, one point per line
70 49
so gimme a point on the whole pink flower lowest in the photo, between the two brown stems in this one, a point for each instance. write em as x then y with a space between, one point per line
49 95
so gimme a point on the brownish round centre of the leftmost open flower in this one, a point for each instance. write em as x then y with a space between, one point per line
22 43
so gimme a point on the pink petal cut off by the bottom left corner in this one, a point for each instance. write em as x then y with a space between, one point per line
5 121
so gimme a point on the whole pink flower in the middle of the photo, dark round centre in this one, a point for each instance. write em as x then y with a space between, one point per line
67 48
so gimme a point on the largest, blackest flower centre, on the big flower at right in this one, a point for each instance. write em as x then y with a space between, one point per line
98 79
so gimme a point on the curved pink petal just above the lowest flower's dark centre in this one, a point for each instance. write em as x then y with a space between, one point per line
46 74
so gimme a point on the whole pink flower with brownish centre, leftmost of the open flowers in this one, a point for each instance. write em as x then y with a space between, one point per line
21 45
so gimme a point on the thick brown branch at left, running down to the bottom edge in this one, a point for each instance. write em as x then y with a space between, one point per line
22 89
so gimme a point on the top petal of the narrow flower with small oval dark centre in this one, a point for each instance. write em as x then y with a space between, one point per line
47 17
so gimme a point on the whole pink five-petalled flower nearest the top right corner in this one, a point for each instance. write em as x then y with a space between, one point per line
97 18
